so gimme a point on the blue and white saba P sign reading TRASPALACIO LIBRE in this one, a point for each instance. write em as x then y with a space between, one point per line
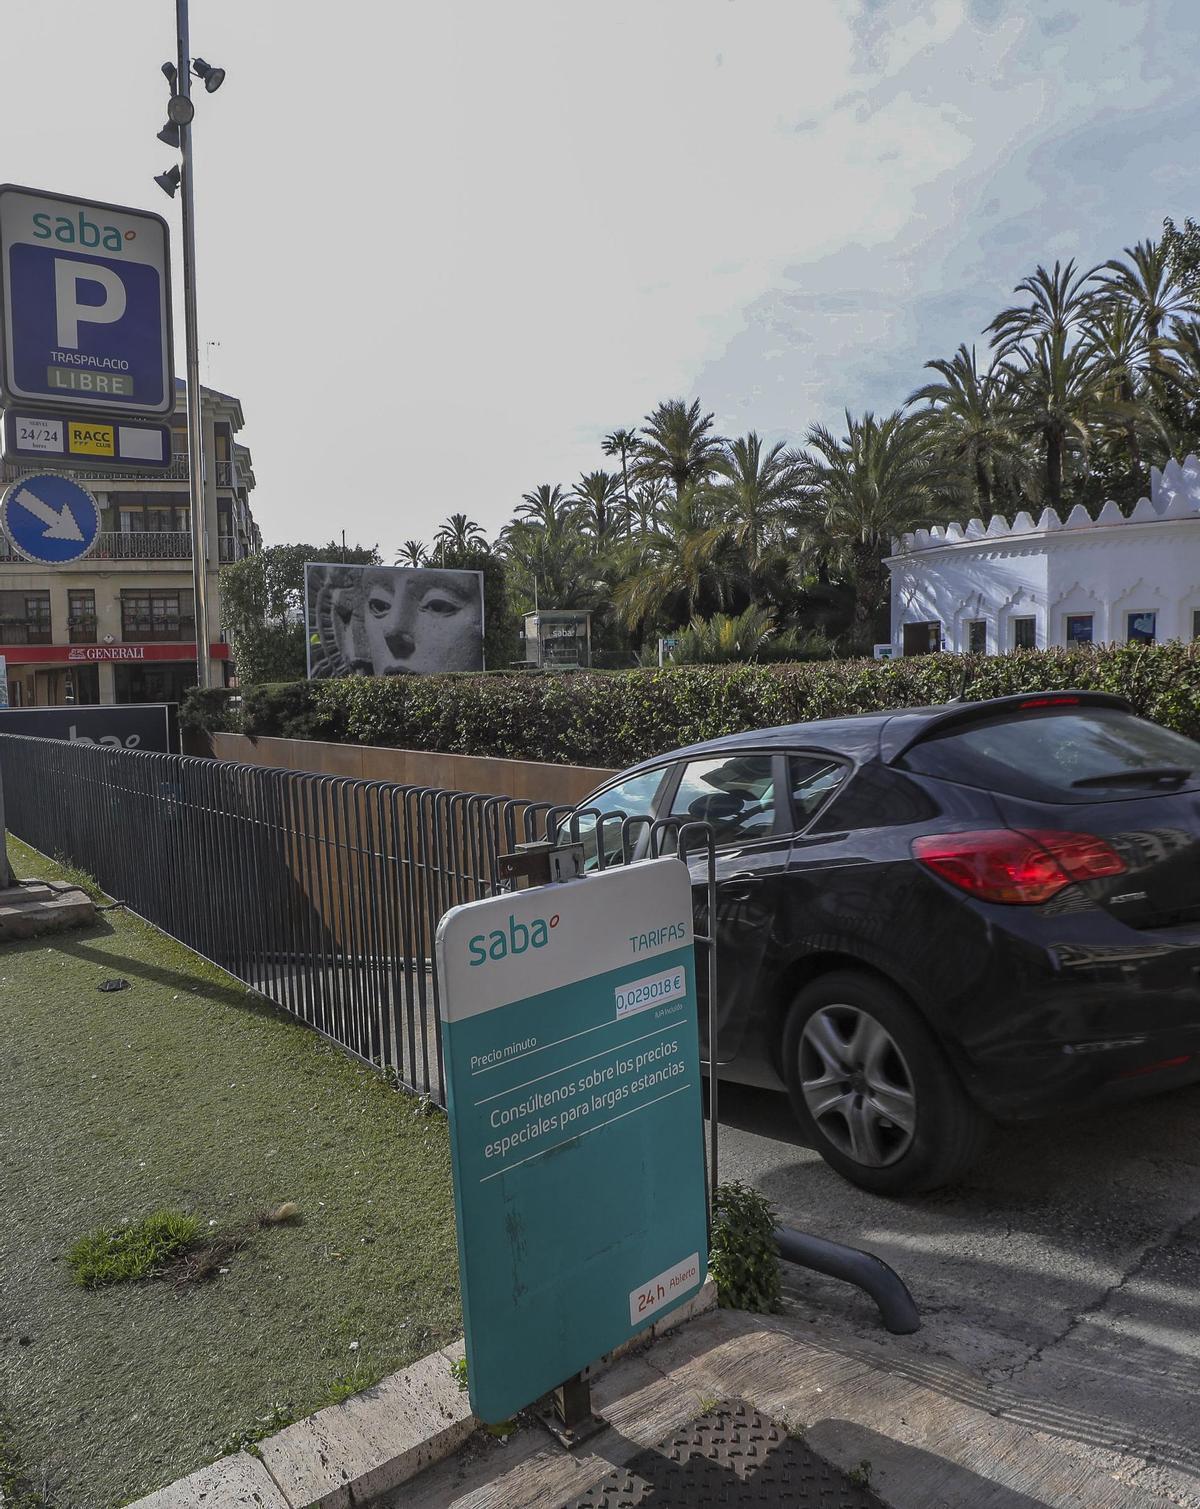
85 303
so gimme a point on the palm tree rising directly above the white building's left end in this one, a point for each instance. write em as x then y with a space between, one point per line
970 419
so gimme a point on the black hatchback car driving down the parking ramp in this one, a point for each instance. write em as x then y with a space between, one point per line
937 918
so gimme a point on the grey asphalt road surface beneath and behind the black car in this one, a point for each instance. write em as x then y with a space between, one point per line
1059 1286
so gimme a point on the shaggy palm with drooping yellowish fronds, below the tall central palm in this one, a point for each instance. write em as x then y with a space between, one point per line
686 559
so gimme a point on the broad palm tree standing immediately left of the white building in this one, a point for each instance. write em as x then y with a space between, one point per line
879 481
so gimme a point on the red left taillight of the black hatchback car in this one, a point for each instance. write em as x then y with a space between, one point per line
1017 868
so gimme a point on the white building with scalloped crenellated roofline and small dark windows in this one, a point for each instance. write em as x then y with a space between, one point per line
1118 579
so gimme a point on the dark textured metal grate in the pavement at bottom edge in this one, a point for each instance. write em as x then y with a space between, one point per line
733 1458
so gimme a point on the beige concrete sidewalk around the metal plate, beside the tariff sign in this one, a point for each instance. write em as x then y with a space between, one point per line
914 1434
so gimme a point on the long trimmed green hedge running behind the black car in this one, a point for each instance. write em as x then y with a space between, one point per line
620 718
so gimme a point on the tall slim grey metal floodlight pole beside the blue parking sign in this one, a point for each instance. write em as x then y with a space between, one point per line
195 428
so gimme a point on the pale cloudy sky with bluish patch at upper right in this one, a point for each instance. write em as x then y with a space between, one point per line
445 247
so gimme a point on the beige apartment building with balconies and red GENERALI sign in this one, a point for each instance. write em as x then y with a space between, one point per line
120 625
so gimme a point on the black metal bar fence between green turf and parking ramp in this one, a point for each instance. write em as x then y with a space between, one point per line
319 891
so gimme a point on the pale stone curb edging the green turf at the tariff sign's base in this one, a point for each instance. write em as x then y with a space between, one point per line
349 1454
